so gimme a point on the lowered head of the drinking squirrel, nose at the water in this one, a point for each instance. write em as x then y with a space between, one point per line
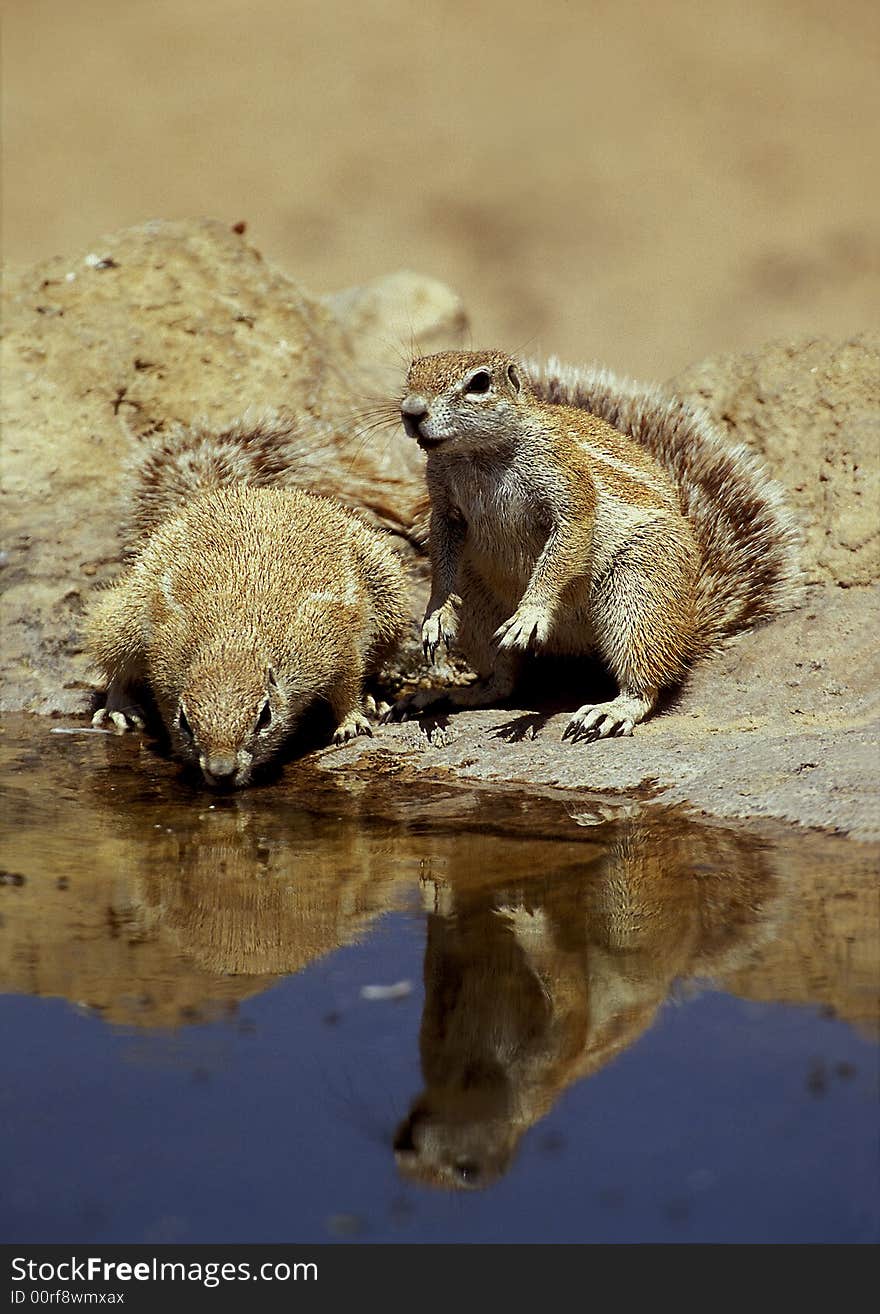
233 714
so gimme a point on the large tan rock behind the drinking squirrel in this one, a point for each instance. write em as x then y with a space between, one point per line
160 324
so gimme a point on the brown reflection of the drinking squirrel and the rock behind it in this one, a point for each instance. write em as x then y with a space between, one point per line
156 907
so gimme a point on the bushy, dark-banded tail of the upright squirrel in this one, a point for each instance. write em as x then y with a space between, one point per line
749 542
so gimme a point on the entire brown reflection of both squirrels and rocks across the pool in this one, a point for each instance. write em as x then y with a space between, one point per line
554 938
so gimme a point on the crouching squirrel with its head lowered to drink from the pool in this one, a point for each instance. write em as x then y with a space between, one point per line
244 602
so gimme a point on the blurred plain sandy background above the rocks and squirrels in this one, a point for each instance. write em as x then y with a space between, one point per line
644 183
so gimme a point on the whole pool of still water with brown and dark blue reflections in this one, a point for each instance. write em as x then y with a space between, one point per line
605 1024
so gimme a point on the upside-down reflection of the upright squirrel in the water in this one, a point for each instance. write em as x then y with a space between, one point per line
535 986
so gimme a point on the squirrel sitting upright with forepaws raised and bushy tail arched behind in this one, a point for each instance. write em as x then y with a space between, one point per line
572 513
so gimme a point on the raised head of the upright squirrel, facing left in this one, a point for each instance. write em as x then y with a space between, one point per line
462 400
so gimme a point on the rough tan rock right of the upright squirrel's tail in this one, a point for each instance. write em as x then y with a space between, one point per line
812 409
